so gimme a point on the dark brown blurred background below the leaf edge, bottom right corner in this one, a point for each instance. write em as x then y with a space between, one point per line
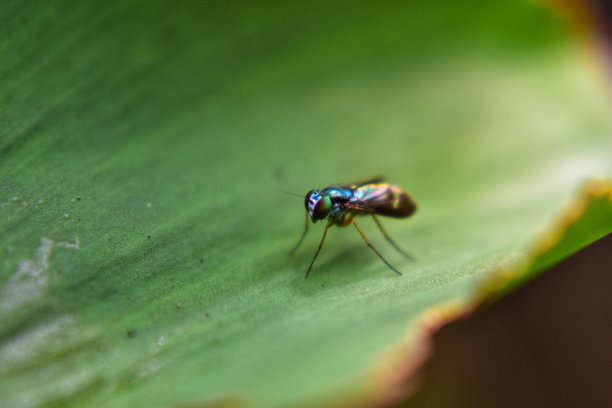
549 344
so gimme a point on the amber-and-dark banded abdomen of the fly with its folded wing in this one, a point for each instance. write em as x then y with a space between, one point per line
382 199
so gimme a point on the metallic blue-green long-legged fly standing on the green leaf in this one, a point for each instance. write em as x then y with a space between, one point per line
342 204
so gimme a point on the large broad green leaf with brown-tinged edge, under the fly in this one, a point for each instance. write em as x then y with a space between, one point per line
143 146
